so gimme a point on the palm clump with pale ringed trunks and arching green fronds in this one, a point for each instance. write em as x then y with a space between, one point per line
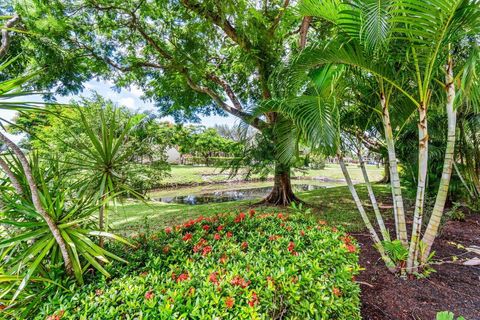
407 52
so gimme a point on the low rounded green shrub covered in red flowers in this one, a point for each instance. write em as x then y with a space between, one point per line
245 266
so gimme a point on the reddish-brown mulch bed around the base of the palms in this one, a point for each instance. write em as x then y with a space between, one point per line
453 287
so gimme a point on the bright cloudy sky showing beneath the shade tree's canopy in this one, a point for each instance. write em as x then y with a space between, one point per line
129 98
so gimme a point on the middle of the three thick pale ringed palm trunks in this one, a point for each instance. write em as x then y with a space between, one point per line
412 260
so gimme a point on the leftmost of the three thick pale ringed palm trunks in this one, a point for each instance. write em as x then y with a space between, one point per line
398 209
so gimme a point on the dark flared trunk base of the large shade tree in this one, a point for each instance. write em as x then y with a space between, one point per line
282 193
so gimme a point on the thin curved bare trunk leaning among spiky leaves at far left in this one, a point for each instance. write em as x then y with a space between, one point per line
37 203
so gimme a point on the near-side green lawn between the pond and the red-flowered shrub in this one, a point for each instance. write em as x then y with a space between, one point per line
334 205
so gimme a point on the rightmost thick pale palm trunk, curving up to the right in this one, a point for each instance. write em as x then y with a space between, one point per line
432 228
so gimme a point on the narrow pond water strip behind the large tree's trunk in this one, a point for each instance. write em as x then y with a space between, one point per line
253 193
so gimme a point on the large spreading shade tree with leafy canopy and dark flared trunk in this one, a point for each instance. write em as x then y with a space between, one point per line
189 57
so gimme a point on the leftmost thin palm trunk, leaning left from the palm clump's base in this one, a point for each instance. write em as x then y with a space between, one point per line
376 240
